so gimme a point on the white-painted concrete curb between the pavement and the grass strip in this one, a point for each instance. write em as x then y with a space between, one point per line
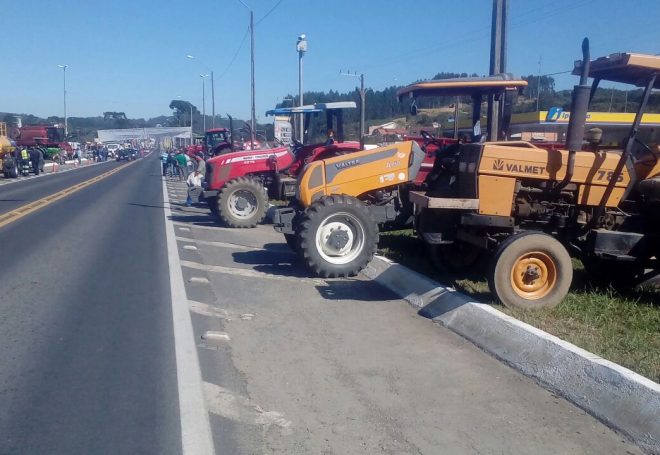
621 398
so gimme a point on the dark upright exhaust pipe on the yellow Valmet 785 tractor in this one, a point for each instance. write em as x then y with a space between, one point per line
579 108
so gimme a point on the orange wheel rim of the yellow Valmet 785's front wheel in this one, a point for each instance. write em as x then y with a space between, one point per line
534 275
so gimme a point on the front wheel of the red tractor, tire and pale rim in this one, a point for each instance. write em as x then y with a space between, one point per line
242 203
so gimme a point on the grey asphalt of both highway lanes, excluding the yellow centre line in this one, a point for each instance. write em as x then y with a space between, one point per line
87 353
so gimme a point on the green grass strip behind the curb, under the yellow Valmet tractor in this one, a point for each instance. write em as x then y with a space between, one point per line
621 326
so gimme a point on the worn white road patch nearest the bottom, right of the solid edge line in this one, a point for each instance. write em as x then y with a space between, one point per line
224 403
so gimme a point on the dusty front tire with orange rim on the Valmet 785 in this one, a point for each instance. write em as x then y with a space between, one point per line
530 271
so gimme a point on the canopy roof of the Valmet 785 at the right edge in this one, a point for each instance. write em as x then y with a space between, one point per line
634 69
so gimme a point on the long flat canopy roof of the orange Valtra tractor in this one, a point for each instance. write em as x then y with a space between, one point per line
462 86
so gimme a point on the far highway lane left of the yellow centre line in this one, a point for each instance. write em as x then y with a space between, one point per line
24 191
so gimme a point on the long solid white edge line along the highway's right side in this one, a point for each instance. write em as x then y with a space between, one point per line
195 428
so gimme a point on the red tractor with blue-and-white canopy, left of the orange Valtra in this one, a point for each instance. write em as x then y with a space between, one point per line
239 184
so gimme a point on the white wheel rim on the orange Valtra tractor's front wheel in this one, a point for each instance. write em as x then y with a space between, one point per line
340 238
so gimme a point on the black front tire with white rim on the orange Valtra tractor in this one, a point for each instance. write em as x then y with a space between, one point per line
337 236
